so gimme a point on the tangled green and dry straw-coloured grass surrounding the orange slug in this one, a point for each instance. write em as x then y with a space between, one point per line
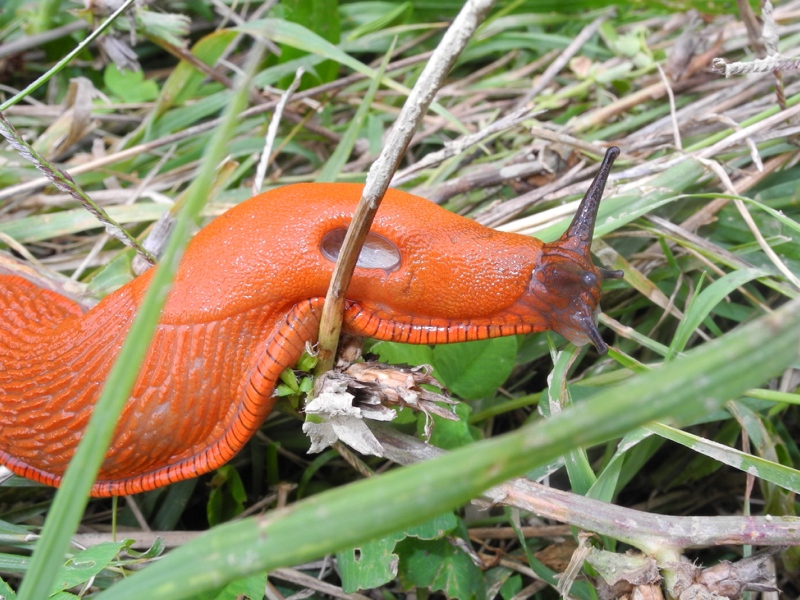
679 444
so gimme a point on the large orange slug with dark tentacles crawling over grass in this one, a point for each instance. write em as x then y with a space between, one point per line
246 299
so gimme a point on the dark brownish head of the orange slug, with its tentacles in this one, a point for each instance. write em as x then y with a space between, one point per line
567 275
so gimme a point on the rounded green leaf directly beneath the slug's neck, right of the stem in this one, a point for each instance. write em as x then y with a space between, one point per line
475 370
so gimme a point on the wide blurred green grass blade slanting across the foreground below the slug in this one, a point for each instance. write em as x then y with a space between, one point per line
683 390
